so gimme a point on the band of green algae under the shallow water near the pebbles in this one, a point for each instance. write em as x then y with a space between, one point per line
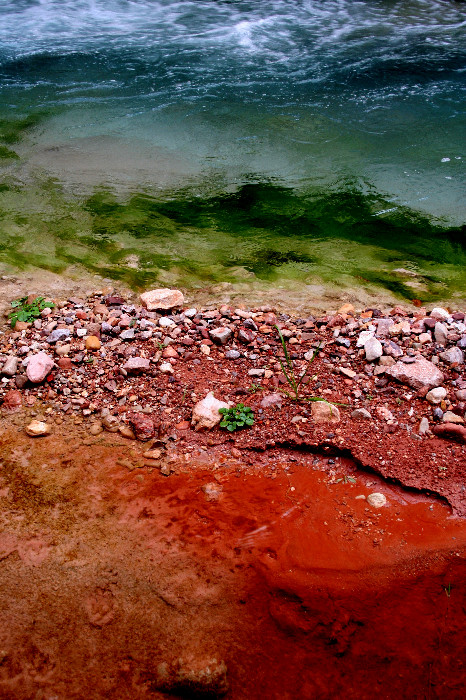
263 233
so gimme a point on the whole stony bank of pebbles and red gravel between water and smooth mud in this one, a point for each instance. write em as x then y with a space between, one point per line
392 385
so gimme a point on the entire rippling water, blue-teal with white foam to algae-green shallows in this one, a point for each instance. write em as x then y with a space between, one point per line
198 142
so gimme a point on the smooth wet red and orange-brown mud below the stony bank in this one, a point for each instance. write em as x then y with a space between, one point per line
109 569
